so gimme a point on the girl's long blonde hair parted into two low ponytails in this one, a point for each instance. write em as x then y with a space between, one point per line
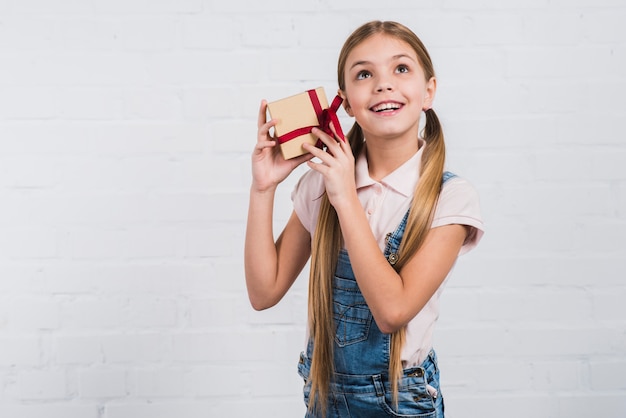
327 240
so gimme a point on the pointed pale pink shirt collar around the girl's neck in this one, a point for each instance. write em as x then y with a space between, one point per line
403 179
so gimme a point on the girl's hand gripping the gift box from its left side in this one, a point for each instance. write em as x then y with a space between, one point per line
269 168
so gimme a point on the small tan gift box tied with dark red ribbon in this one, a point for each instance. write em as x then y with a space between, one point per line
297 116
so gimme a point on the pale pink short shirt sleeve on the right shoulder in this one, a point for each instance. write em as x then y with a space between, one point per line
459 203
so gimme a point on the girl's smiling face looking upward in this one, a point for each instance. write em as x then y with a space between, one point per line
385 88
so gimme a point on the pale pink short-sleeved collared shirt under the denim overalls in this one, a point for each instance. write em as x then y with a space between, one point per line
385 204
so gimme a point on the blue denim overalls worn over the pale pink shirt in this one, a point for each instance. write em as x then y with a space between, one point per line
360 386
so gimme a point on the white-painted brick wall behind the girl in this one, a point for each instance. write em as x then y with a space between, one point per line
125 133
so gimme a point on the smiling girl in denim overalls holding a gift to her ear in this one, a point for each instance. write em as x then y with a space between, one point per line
383 225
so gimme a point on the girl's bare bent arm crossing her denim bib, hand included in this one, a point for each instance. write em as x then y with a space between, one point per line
394 298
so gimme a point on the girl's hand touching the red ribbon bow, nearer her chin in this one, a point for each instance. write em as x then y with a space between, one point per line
337 167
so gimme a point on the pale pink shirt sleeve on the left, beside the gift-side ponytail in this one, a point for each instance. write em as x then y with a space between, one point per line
306 197
